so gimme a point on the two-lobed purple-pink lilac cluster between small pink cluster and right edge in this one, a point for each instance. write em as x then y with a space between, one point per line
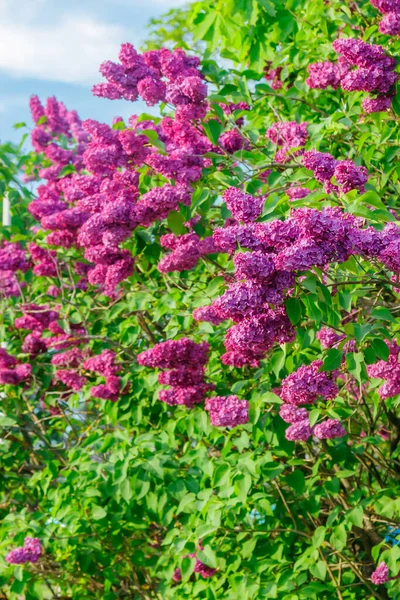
348 175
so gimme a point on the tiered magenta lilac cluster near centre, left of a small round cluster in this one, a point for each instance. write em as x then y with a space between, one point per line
185 361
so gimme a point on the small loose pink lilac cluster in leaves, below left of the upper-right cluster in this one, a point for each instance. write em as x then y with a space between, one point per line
287 136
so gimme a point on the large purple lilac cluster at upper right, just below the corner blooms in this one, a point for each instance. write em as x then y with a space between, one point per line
373 72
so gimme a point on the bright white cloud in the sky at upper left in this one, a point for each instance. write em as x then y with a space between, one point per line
69 50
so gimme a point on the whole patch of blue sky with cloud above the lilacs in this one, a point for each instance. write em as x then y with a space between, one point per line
55 47
